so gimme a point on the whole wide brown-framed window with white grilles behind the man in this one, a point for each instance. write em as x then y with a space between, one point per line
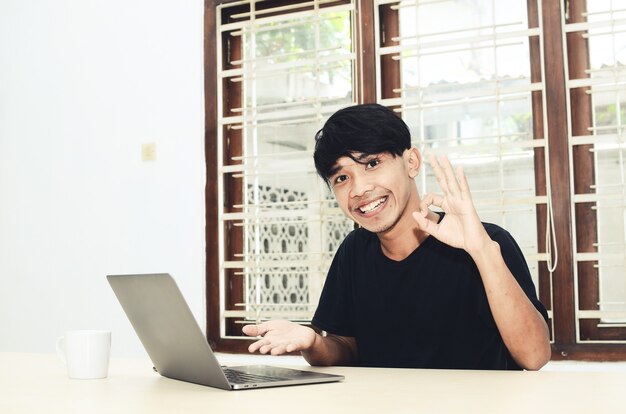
526 95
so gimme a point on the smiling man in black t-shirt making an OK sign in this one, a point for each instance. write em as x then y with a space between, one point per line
411 287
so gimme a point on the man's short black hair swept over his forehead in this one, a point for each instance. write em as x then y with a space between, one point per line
362 129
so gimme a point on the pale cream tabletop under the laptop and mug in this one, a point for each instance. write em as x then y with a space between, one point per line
37 383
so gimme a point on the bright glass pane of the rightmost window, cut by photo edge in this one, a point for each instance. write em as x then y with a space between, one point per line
606 40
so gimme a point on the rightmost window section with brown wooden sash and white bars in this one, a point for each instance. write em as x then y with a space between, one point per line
595 90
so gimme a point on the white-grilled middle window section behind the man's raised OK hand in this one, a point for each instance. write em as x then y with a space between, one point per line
466 91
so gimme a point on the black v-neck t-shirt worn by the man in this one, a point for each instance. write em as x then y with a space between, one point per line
429 310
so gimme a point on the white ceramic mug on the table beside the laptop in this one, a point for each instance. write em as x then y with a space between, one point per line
85 353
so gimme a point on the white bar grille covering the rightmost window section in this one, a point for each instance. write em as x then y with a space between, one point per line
603 28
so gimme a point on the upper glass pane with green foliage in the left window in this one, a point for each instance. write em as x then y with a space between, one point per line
299 60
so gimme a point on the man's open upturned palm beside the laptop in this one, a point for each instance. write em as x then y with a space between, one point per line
280 337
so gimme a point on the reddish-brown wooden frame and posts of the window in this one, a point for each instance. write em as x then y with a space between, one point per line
562 297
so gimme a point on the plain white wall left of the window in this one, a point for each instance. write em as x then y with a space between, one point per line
83 83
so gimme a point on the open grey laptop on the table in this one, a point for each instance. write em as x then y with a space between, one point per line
177 346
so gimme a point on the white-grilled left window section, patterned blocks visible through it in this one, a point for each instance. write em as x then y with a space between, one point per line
293 66
